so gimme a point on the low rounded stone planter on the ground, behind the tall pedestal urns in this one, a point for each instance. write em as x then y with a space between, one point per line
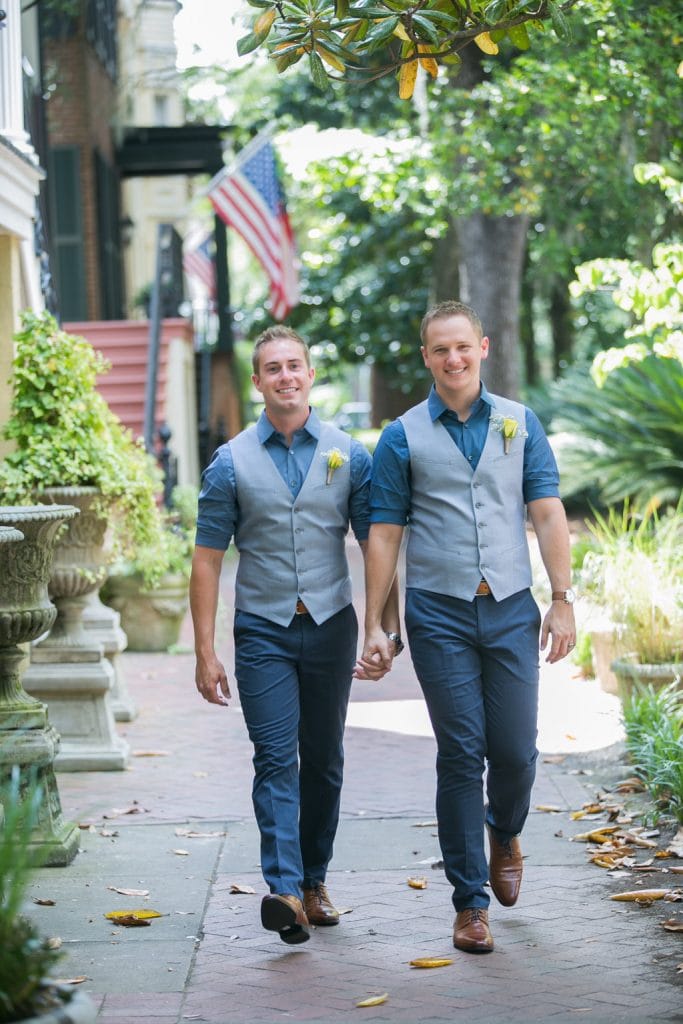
151 617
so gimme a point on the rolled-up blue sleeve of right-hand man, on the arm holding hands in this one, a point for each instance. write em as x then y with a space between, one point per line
391 491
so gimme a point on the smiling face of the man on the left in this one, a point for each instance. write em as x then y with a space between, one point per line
284 378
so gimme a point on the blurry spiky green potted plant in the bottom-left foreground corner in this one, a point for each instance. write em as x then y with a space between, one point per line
27 992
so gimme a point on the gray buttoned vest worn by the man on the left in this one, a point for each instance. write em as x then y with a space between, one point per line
291 547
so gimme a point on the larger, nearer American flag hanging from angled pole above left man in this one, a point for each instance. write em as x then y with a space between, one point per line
249 198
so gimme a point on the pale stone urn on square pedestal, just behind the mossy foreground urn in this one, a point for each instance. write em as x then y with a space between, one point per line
69 670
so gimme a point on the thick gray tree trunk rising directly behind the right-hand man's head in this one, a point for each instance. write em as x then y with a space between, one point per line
492 258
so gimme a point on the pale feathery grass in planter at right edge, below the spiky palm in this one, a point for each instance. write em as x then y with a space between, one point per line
638 576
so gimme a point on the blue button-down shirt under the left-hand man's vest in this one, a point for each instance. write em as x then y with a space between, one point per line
219 510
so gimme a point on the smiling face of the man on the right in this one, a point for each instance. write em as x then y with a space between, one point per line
453 352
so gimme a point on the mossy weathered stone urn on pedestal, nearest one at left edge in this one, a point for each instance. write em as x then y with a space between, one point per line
28 739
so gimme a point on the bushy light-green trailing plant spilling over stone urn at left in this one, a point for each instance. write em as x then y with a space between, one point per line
65 436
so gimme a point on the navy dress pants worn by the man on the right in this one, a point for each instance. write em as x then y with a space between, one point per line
478 663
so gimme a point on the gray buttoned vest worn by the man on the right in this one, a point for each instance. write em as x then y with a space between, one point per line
466 526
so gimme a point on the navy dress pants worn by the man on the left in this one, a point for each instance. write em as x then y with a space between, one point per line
294 685
